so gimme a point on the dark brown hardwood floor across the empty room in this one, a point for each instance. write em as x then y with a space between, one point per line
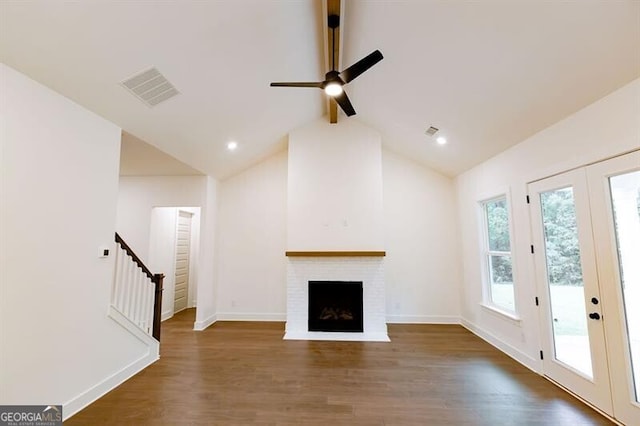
241 373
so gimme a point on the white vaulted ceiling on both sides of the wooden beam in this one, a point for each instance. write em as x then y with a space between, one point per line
488 74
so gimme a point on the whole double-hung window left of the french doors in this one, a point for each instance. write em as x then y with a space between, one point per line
497 255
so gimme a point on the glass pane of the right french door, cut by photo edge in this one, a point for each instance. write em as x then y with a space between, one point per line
625 194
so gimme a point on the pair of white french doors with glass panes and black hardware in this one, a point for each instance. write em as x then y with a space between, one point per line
586 235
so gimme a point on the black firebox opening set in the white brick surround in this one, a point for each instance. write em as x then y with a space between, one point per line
335 306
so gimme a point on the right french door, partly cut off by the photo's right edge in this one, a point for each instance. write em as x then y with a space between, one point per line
614 191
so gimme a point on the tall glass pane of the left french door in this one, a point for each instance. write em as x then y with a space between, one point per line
564 278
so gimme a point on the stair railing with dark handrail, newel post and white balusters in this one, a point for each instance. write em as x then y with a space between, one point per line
137 292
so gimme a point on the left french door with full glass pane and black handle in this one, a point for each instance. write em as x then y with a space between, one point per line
574 350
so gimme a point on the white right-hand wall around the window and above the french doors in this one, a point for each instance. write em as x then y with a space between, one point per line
606 128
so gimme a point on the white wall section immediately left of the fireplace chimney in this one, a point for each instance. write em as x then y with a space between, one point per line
252 239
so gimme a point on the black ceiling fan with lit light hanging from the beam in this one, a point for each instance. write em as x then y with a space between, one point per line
333 80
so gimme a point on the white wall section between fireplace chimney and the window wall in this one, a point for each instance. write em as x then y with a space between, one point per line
421 239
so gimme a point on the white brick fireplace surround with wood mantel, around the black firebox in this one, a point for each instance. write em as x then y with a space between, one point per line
368 269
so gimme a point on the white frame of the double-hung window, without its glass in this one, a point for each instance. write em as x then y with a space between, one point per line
486 254
